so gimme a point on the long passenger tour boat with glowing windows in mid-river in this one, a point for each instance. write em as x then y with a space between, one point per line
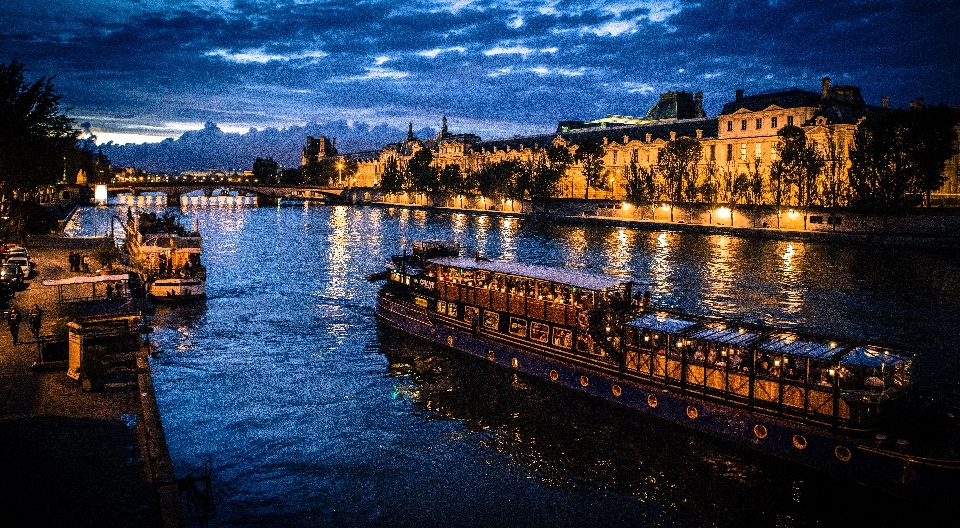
839 406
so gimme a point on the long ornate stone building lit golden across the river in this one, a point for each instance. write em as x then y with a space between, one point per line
741 140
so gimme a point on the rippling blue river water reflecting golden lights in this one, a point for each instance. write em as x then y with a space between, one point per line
311 416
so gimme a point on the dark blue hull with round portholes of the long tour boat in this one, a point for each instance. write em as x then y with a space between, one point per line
862 459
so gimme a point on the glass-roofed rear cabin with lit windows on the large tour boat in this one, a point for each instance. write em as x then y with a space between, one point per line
780 372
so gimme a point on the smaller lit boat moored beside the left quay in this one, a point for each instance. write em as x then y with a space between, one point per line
167 257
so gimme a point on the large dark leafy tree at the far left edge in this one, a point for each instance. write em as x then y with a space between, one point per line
35 137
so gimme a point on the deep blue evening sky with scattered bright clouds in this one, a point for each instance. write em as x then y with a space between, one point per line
138 70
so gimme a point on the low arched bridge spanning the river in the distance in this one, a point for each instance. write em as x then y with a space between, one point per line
266 193
